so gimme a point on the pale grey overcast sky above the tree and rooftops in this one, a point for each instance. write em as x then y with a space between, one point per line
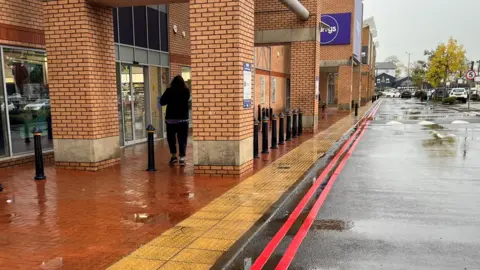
416 25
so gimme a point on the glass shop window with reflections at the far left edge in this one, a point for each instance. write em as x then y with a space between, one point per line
28 99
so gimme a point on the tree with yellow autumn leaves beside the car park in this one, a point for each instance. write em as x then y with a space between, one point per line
445 62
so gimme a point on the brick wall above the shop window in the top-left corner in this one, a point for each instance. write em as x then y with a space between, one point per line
21 23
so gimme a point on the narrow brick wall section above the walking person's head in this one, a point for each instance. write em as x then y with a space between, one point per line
179 15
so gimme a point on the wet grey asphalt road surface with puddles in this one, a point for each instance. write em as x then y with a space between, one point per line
408 197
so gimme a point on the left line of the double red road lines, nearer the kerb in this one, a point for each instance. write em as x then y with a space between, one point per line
272 245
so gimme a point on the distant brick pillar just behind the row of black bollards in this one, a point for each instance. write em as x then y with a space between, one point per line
305 71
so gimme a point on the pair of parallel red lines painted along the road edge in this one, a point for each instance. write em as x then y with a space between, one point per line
298 239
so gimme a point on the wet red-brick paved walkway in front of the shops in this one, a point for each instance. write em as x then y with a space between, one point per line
83 220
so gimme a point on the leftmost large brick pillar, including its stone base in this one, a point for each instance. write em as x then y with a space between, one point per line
82 81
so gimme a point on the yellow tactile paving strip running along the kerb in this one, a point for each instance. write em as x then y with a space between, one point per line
198 241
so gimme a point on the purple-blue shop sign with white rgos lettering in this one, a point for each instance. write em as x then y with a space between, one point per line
339 32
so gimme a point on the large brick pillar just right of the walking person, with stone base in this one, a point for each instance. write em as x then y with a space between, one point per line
221 42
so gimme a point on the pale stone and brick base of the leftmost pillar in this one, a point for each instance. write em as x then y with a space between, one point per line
90 155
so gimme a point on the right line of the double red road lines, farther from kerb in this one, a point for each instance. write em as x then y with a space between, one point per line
298 239
